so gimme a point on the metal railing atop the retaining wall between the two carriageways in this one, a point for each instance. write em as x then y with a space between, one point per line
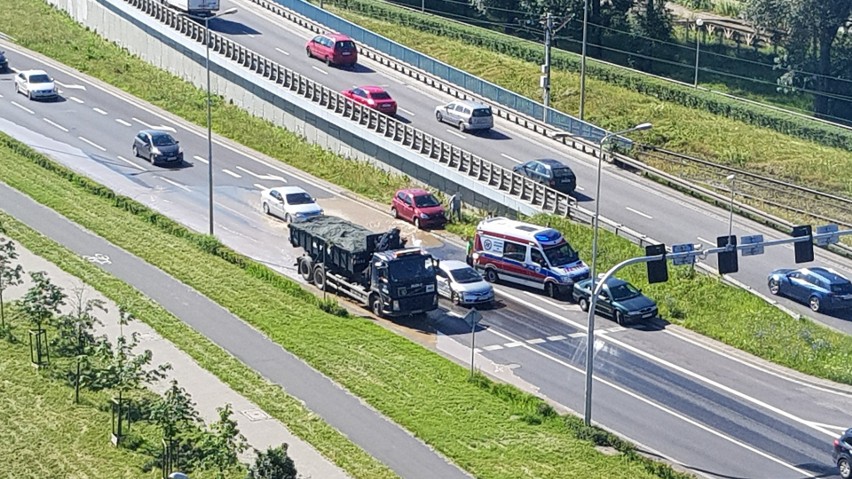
472 166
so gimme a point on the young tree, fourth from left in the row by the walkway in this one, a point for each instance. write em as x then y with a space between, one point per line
124 371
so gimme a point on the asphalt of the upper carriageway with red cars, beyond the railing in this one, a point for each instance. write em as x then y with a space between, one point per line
639 204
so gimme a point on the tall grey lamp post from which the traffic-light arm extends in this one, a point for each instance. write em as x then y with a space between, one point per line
590 339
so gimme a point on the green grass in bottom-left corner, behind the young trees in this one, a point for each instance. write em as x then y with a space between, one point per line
44 434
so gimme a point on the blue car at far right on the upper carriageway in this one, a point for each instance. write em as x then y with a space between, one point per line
820 288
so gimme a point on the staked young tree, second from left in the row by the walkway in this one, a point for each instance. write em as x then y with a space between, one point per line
41 304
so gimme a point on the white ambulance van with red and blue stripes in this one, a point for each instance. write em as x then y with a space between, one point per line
528 255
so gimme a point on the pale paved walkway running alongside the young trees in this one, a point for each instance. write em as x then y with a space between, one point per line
207 391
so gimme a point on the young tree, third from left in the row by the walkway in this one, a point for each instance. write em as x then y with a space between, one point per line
75 336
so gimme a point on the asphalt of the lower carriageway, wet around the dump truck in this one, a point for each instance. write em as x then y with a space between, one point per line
718 412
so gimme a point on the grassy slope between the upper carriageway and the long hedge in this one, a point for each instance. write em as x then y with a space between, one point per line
677 128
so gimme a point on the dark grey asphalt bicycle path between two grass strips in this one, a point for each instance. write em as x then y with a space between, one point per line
377 435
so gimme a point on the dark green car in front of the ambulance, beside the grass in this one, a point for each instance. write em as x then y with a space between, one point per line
619 300
